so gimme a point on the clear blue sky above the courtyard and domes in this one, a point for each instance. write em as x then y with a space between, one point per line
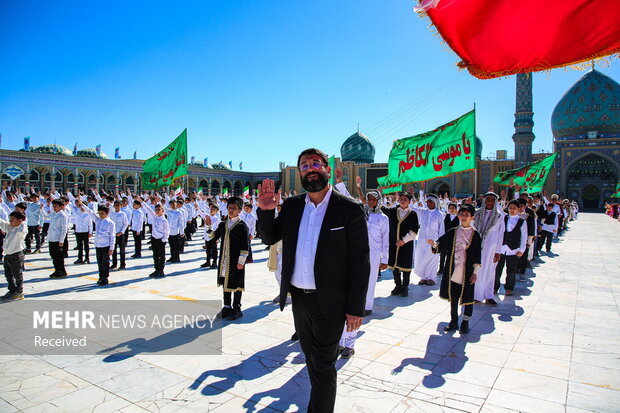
252 81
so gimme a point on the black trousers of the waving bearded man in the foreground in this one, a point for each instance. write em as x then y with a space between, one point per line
319 336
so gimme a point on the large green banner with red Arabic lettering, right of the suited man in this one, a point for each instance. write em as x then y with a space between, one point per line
446 150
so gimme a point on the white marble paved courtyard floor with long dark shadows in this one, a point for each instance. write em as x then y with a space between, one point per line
549 348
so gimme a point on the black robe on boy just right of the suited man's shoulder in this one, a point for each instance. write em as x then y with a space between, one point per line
401 258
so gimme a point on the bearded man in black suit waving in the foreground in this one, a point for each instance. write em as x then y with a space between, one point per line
325 266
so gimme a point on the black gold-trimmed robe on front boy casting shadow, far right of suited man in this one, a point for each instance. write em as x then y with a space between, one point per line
446 243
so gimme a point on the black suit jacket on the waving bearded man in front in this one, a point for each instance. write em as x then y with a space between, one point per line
342 264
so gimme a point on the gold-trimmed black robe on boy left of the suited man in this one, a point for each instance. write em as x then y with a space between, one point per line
235 241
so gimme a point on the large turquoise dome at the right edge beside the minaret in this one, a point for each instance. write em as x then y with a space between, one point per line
591 104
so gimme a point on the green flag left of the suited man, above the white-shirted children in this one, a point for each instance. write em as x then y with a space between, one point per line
161 169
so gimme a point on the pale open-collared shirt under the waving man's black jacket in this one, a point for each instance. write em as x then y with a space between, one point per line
307 240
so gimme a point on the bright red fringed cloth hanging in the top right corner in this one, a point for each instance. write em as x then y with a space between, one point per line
503 37
